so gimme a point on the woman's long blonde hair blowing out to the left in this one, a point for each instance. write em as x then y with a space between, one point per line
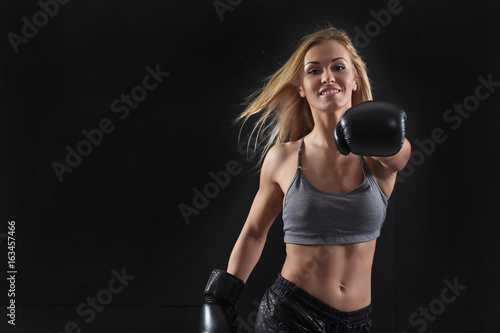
284 114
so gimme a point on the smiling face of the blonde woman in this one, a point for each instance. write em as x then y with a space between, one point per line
328 79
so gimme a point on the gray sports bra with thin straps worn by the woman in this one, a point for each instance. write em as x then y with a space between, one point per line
314 217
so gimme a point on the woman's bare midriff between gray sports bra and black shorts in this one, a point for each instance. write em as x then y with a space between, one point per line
338 275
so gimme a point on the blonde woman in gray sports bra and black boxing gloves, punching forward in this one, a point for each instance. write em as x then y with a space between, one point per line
333 202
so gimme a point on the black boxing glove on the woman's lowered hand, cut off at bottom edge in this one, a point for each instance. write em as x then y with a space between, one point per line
221 295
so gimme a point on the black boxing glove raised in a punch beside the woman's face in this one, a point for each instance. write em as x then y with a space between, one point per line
371 128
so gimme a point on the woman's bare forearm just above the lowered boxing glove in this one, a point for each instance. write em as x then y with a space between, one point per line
245 254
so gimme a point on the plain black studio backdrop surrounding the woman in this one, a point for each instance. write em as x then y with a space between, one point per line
101 244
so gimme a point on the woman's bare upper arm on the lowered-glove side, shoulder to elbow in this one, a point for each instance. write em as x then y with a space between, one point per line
268 201
